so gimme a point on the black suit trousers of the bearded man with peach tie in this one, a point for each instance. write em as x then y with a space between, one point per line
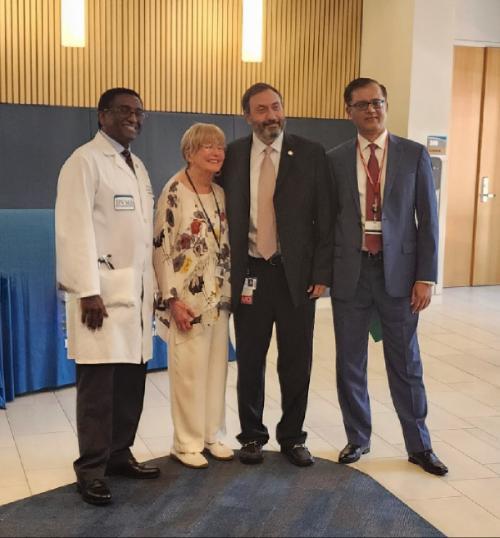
272 304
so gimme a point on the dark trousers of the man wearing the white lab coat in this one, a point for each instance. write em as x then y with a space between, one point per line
109 400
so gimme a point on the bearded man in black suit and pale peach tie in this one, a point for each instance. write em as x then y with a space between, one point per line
278 205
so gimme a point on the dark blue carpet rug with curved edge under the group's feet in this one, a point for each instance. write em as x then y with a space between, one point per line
227 499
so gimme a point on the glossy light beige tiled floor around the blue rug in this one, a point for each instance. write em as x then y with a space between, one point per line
460 341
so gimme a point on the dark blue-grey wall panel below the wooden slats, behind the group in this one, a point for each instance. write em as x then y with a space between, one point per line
36 140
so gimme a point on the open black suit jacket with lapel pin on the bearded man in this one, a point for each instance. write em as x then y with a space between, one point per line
303 213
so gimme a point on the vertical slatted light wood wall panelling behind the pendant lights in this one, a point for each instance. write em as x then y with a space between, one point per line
181 55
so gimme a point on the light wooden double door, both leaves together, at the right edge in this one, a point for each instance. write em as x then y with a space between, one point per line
472 241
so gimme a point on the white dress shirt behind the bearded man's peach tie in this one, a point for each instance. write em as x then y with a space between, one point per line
256 158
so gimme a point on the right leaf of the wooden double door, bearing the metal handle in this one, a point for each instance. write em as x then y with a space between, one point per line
486 267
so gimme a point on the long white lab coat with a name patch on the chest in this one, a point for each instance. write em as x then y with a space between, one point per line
103 209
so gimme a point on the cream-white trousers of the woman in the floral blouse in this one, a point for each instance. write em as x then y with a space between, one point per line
198 372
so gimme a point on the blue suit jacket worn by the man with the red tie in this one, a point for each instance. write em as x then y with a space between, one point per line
409 218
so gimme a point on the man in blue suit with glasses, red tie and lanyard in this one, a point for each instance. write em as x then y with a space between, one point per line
385 263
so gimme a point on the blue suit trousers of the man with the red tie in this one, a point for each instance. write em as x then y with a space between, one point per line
401 353
